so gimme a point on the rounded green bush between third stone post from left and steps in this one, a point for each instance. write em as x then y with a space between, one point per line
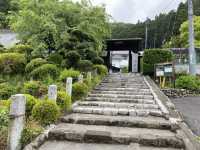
79 90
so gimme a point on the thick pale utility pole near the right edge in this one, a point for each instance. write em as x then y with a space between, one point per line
192 52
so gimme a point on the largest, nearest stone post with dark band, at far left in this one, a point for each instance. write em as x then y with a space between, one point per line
17 120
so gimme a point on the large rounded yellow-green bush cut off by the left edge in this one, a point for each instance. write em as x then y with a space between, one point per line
12 63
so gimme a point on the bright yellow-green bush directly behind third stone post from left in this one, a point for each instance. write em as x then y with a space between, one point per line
69 73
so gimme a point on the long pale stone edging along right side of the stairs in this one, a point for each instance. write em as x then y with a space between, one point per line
187 135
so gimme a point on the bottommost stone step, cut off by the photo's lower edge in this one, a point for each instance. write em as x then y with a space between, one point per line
66 145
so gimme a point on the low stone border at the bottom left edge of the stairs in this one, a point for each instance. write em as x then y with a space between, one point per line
41 139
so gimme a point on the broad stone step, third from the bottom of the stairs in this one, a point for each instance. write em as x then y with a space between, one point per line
120 121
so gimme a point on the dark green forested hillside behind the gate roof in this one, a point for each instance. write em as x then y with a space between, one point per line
160 30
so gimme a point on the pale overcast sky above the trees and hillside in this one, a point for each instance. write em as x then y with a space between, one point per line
133 10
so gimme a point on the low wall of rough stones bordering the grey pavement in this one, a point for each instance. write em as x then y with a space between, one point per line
176 93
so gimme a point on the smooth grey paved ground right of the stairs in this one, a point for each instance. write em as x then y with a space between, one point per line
190 109
